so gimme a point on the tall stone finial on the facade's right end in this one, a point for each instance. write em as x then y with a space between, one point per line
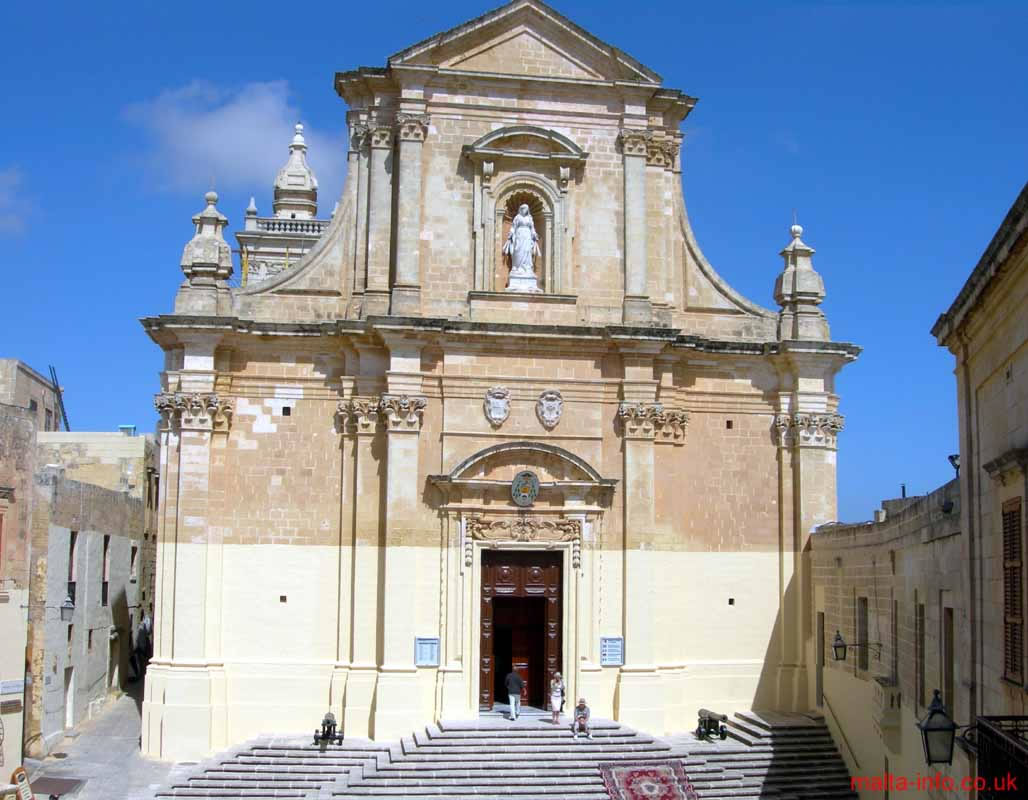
799 292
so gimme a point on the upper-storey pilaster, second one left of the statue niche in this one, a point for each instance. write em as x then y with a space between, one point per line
377 297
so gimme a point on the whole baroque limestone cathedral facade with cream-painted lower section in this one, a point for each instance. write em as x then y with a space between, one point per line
503 416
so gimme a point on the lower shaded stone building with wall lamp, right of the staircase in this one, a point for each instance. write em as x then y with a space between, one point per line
894 591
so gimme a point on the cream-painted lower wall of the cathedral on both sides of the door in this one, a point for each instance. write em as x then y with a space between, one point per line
273 666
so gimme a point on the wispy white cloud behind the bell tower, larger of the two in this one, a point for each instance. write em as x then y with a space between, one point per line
239 138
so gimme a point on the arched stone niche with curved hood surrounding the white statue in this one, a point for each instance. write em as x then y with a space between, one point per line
540 164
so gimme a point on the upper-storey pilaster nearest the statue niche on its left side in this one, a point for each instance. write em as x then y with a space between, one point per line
407 298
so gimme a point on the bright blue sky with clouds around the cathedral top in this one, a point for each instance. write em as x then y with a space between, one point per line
897 131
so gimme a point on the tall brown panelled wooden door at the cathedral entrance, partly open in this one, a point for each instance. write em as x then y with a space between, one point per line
522 621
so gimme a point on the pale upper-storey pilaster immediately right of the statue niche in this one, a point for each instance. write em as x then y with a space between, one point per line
635 146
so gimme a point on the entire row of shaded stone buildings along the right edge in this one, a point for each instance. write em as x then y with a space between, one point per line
932 593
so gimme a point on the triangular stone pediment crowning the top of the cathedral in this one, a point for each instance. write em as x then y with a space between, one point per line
527 38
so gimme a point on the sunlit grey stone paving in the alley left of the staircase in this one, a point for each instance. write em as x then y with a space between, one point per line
105 757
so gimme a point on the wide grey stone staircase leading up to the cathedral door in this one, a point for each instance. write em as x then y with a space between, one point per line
790 757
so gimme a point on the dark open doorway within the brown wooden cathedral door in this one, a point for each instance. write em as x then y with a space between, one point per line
520 642
